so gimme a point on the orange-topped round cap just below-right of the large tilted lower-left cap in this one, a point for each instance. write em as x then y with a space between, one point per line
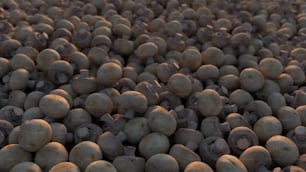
56 153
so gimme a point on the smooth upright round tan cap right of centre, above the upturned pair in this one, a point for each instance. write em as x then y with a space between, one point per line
209 103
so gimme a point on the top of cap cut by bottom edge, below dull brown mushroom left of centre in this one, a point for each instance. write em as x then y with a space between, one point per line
100 165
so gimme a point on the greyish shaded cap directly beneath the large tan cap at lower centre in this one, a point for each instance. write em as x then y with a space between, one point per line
152 144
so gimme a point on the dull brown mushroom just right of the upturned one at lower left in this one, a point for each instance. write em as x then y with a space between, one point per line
110 145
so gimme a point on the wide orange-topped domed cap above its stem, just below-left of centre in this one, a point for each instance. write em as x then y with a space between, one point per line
132 100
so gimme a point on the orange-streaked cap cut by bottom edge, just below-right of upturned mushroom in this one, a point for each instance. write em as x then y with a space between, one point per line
230 163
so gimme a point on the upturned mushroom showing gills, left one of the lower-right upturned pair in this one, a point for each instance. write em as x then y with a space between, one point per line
212 148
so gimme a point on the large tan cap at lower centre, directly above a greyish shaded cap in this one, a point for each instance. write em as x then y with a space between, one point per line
162 121
